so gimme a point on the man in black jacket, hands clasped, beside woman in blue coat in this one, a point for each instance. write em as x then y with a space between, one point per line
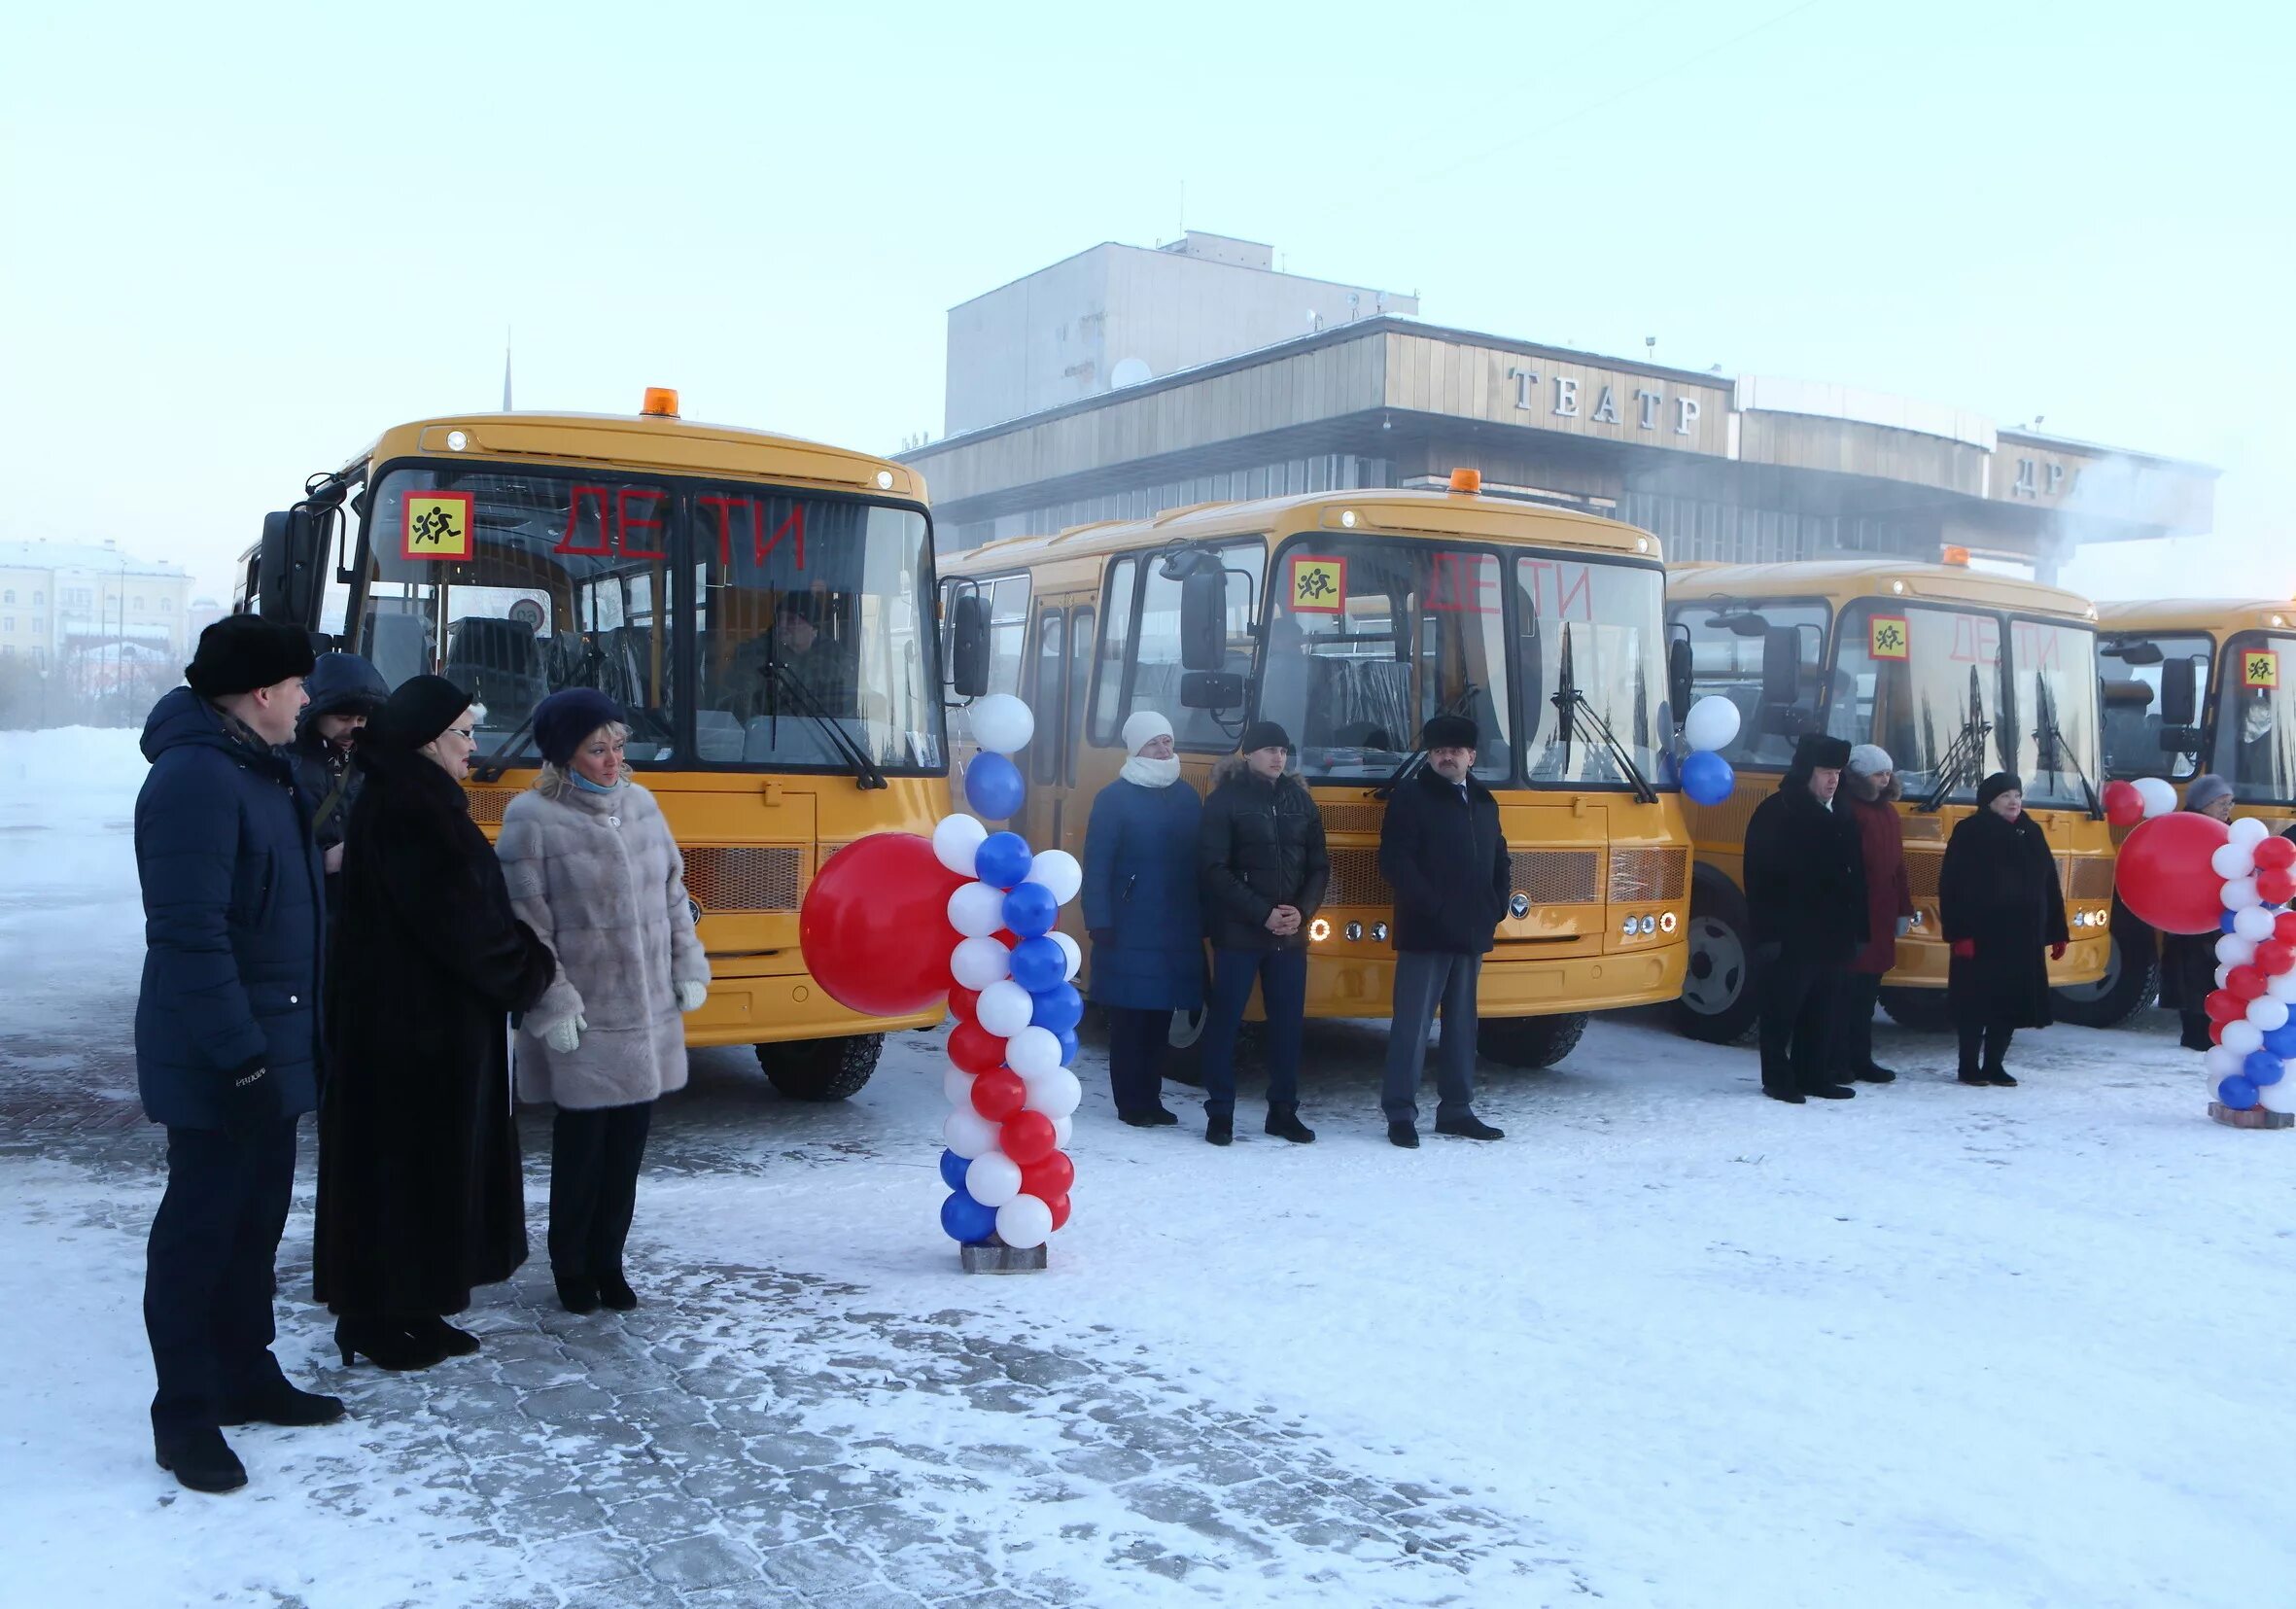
1264 866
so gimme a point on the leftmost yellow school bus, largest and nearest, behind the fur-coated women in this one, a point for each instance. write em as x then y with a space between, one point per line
759 607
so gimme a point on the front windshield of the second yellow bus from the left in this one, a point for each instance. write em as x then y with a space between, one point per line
1376 635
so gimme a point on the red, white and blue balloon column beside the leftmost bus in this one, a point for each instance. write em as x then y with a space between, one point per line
1016 1006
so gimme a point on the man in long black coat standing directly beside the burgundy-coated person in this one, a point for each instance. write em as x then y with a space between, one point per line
1808 901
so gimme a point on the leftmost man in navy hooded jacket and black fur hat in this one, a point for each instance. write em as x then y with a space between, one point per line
226 1034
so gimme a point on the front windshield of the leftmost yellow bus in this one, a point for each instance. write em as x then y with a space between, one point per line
807 648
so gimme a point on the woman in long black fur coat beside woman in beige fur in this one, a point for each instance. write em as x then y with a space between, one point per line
419 1160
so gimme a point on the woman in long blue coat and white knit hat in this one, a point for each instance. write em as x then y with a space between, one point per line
1142 912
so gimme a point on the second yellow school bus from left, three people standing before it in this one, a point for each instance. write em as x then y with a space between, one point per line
1351 619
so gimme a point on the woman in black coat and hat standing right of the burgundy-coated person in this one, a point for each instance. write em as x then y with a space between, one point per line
2001 908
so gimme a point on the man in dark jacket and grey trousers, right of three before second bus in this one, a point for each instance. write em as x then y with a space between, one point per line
1445 857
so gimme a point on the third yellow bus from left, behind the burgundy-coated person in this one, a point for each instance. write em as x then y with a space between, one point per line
1953 671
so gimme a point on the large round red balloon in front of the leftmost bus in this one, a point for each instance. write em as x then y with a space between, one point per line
876 926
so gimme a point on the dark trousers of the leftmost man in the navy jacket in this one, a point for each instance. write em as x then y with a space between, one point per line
208 1270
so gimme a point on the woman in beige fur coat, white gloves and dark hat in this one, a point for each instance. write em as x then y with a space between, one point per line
594 869
